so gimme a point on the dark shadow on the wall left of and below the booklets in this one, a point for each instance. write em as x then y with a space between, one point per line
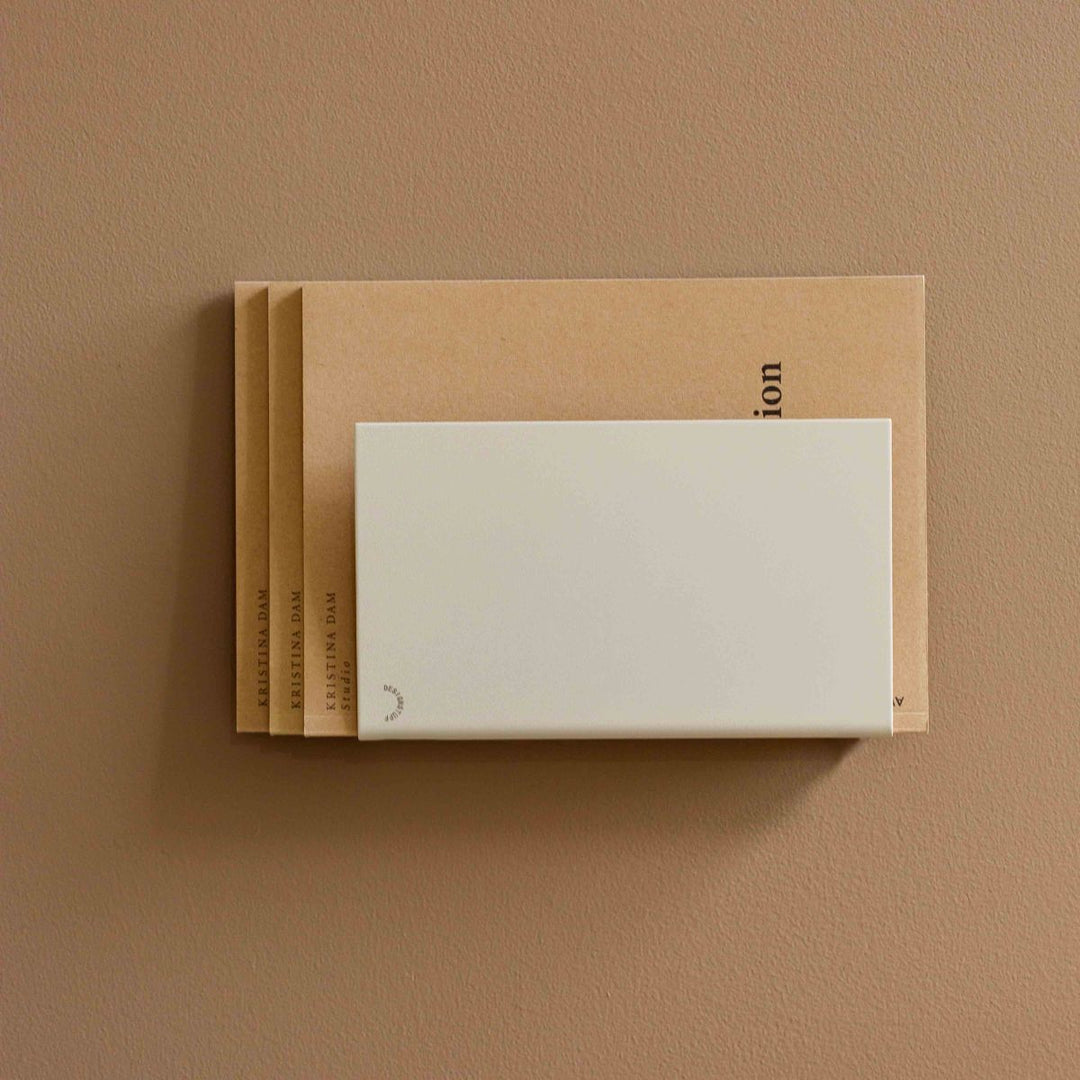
215 788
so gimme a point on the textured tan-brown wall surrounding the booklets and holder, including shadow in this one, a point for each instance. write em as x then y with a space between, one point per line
182 901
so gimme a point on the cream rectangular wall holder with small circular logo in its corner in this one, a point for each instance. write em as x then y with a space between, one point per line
622 579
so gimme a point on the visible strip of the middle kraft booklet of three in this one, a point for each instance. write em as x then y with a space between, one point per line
287 509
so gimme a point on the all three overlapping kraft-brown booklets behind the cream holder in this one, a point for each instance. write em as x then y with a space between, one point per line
316 359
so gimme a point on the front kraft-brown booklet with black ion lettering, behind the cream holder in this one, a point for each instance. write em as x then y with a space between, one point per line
766 349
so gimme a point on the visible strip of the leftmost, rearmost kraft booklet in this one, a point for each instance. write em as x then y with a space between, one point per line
253 573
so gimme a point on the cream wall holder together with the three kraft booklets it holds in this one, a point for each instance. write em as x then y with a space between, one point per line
388 437
